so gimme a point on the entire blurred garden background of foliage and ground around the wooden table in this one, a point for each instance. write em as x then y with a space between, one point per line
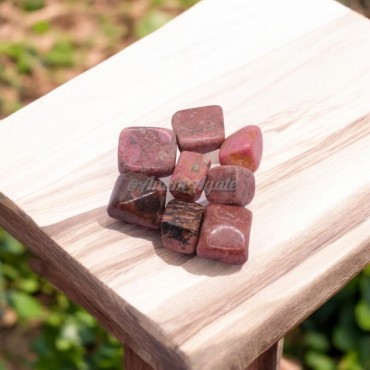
39 327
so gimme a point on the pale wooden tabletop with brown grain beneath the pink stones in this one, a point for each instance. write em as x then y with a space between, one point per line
300 71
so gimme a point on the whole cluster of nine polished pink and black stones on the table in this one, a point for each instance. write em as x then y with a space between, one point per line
221 230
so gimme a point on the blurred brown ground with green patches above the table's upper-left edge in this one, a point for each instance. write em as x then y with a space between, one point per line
57 40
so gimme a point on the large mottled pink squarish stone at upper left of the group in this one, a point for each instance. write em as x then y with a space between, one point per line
147 150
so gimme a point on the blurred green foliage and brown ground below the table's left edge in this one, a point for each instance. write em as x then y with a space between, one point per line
49 331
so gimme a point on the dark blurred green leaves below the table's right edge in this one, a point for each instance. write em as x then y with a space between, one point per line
337 336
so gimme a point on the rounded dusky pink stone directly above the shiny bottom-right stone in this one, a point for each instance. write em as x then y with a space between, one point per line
230 185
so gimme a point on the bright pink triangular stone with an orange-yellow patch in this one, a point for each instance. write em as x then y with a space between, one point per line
243 148
